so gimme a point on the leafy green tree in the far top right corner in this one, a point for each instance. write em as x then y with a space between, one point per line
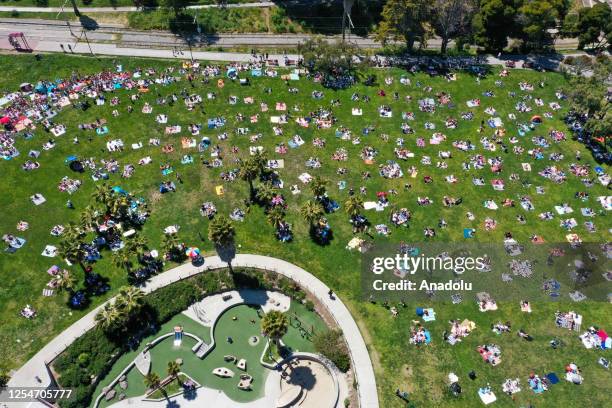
594 27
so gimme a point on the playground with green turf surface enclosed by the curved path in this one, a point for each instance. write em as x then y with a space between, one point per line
237 338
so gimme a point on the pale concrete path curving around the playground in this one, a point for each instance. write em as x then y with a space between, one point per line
36 367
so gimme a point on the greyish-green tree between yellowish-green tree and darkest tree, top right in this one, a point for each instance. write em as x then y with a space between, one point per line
451 19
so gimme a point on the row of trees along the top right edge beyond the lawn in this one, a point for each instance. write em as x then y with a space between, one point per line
490 23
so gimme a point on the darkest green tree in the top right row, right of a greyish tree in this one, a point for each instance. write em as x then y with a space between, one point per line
494 23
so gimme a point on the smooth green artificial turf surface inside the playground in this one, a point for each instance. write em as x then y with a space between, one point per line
240 330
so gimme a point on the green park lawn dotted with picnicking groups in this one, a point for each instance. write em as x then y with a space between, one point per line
397 364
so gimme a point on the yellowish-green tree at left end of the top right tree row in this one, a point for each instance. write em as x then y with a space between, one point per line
404 20
